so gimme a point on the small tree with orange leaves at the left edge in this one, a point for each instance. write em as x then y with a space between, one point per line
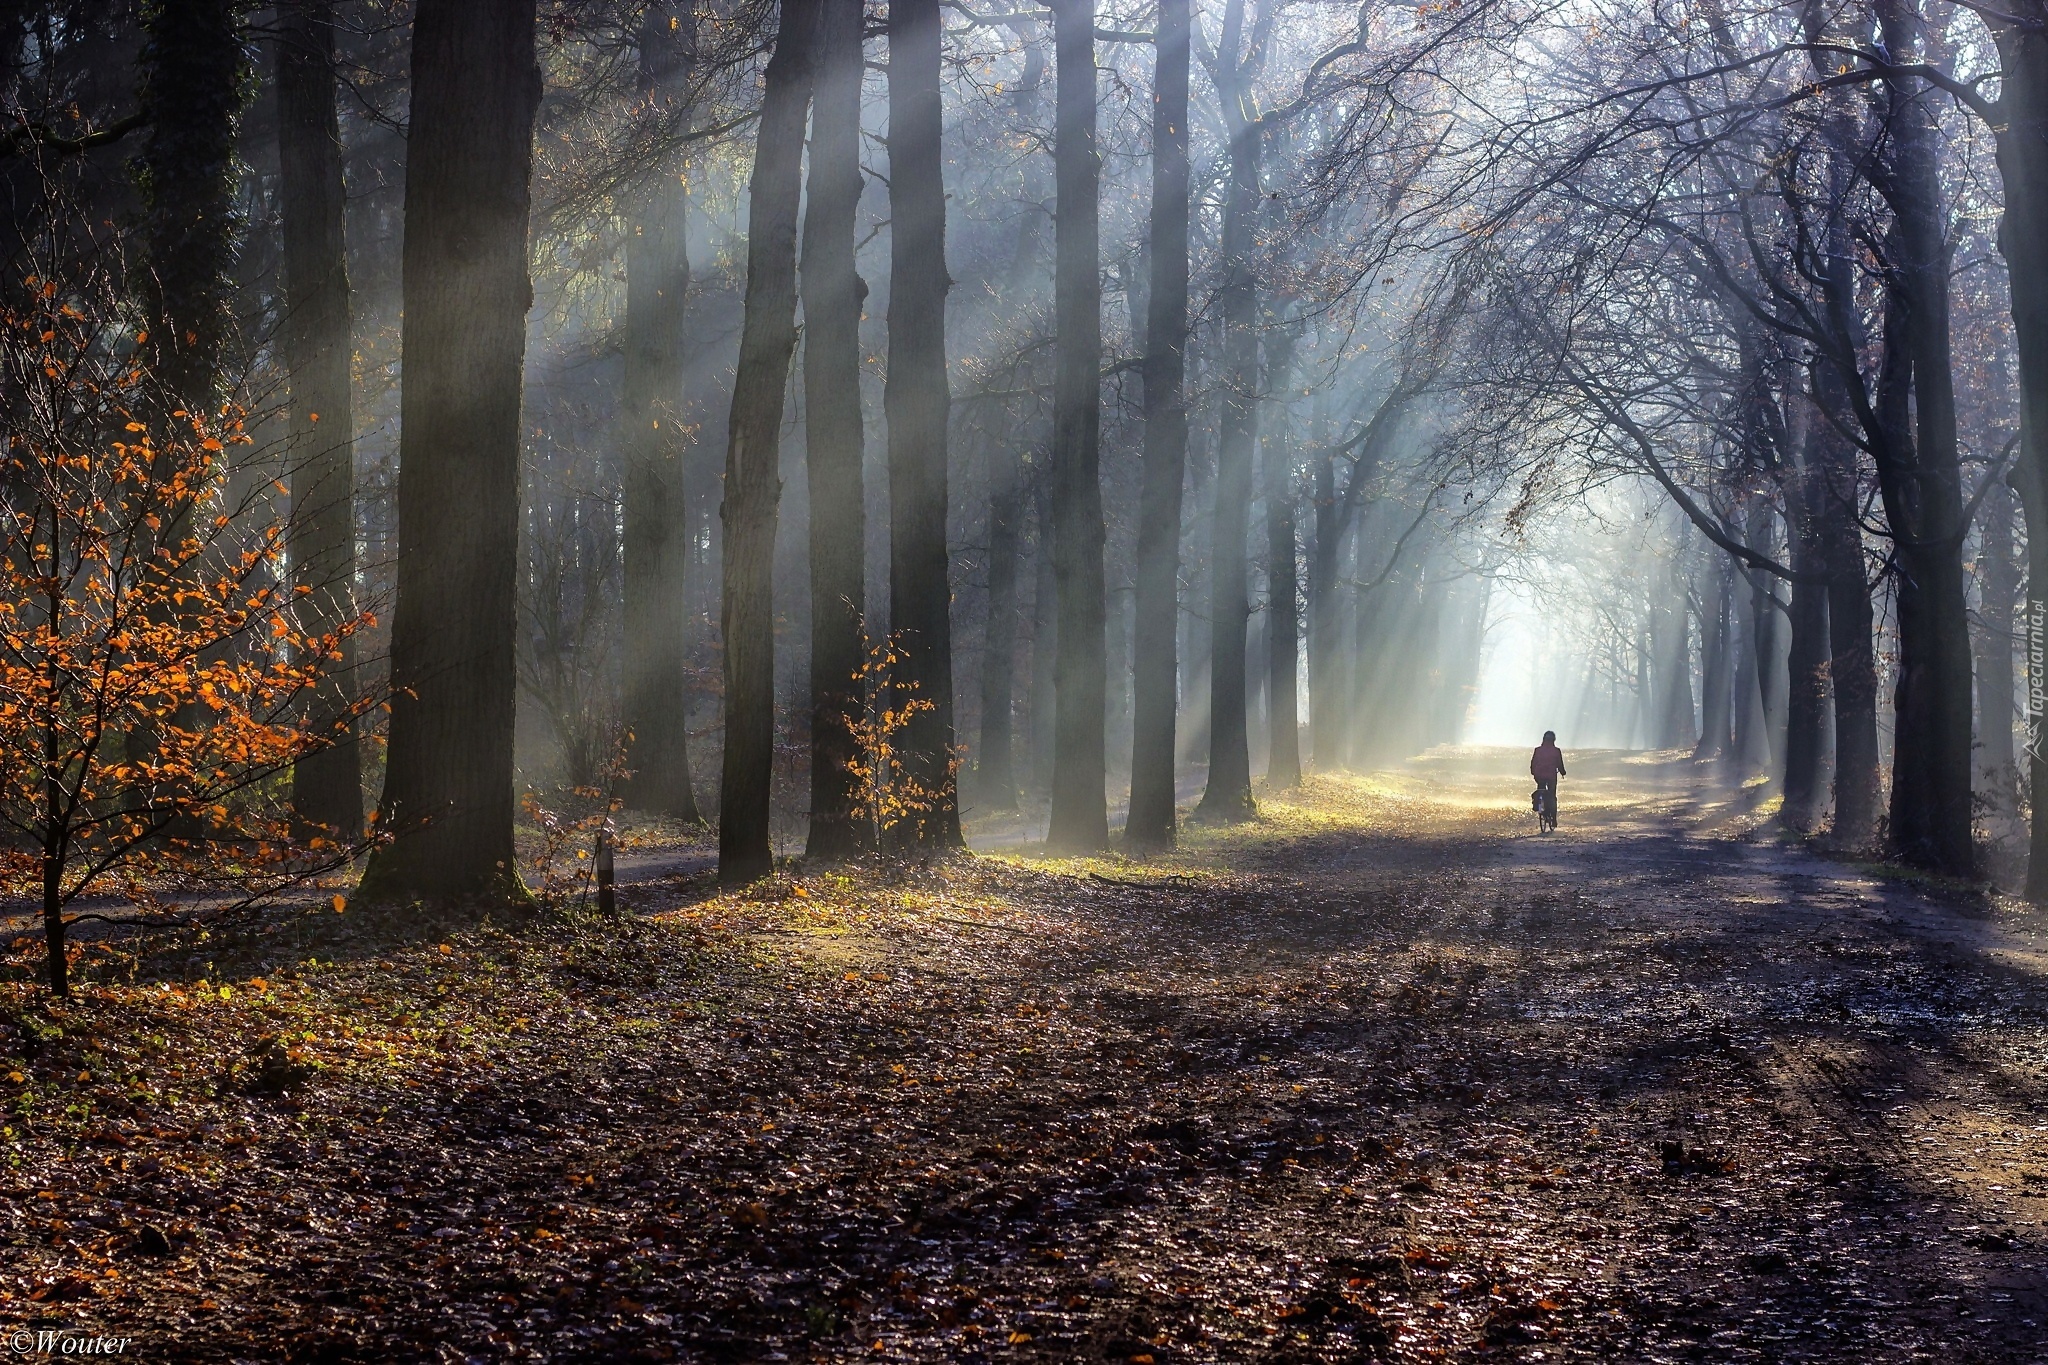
155 674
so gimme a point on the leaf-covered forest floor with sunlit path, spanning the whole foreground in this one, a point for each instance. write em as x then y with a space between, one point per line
1381 1077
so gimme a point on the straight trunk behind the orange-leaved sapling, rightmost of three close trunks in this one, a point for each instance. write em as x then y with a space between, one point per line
916 400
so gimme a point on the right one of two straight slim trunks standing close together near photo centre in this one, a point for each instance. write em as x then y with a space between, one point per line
1156 664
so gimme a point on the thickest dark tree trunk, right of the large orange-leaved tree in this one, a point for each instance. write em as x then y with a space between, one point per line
468 161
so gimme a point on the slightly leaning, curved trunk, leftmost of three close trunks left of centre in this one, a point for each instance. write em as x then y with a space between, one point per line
755 449
